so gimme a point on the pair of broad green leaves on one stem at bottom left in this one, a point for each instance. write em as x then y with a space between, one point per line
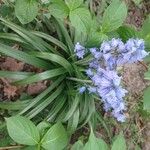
23 131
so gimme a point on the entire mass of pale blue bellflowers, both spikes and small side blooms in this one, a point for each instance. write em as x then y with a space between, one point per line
102 71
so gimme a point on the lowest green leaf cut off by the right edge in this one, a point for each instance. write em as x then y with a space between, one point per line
146 99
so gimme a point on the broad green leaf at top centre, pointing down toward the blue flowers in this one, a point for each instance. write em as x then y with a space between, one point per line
81 19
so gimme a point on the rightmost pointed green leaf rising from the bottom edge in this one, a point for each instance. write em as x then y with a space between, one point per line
119 143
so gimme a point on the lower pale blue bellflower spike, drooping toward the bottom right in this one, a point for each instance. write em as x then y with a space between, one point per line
107 86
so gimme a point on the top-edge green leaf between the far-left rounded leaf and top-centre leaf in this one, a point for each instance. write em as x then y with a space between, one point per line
58 9
